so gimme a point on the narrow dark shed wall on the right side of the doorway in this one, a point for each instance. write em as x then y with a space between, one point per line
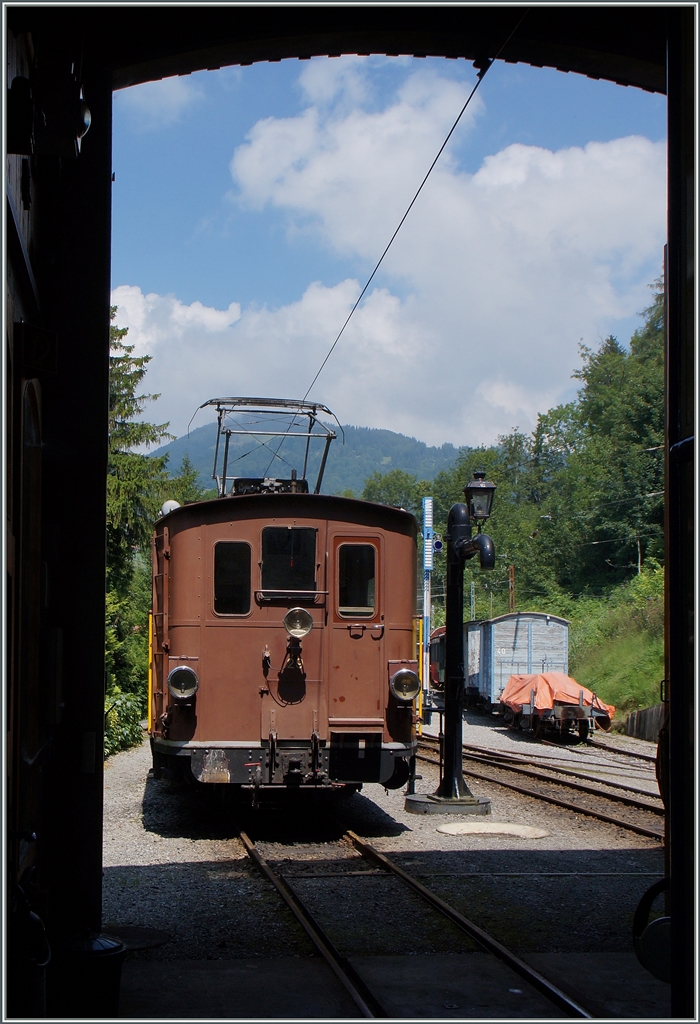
680 500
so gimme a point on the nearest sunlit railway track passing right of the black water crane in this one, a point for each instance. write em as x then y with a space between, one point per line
551 789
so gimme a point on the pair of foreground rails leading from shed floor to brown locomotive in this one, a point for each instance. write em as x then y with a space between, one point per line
366 1001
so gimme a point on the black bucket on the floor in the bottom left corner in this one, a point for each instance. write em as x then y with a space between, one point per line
85 977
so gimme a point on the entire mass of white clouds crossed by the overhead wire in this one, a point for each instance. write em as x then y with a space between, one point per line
499 274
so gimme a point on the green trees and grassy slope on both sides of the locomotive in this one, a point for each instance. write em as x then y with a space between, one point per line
579 513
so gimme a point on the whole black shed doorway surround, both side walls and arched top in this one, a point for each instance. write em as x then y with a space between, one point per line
58 289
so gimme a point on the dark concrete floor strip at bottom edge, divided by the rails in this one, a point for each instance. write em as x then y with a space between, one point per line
423 987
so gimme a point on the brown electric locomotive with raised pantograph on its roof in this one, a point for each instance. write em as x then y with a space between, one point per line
283 636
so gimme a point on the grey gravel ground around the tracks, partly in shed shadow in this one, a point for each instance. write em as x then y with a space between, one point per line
172 862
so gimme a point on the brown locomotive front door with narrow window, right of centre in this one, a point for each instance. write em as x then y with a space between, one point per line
357 665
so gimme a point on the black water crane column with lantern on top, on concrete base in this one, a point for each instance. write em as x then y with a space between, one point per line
453 794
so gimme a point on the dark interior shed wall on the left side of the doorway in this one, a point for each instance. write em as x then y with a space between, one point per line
58 316
